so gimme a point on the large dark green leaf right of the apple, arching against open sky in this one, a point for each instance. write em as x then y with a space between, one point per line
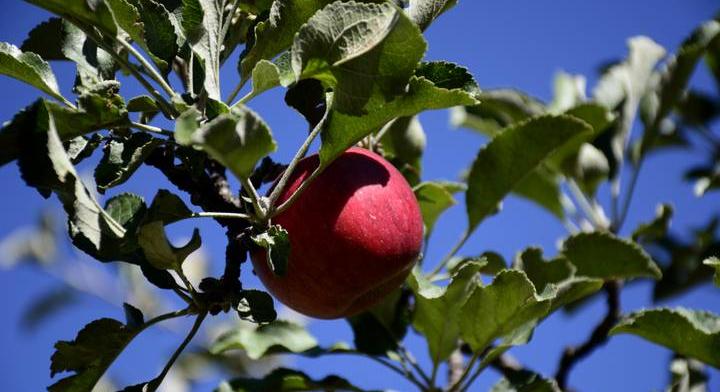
499 167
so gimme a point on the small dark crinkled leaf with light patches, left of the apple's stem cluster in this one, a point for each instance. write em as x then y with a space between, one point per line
122 158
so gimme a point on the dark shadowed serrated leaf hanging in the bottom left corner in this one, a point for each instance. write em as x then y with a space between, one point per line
89 355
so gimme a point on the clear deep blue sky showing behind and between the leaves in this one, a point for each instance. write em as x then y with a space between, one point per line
518 44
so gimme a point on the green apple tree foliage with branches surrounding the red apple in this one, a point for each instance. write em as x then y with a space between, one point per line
356 72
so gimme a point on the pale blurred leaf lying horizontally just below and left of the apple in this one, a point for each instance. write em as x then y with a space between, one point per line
262 340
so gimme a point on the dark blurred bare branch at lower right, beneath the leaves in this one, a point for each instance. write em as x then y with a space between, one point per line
599 336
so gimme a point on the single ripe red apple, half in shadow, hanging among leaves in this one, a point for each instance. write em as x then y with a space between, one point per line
355 234
